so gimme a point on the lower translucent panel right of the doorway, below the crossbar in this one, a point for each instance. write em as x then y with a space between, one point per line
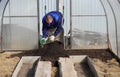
89 32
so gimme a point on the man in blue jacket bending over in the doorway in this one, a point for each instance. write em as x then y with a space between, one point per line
52 27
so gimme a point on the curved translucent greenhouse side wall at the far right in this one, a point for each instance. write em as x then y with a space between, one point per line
112 8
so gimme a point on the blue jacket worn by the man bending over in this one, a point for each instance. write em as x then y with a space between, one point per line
56 23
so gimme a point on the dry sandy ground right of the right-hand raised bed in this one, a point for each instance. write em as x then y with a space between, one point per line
111 68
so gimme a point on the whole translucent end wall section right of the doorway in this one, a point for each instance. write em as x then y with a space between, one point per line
89 25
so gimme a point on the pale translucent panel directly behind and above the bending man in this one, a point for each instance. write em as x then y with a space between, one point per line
46 6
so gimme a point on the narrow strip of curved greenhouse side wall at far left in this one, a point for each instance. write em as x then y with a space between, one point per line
2 6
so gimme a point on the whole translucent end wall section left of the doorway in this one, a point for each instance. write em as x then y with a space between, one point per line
20 25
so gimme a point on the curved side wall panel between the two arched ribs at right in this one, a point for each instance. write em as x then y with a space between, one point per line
111 25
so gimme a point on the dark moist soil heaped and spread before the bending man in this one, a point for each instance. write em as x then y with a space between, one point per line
52 52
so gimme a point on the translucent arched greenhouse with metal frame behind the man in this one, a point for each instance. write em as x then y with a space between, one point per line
88 24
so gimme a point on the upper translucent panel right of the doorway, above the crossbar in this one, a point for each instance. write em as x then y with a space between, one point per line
87 7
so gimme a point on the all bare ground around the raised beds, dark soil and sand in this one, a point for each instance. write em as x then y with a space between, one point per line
105 63
